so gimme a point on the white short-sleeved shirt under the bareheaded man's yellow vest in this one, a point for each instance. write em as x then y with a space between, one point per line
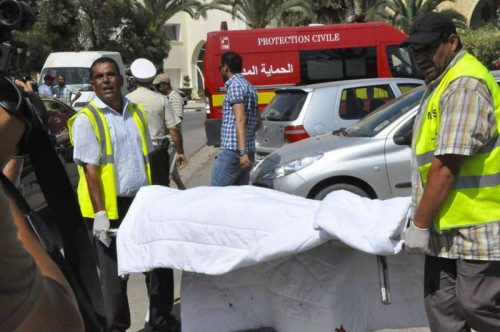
130 171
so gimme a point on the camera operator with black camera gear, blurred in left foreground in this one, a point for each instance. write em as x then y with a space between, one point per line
49 279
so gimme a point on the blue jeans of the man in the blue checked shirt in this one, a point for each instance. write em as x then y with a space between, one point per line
227 170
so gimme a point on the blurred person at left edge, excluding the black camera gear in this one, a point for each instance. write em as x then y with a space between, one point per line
34 295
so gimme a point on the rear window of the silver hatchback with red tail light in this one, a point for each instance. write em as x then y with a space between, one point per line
285 106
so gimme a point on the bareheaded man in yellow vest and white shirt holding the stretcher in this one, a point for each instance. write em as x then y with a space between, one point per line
111 146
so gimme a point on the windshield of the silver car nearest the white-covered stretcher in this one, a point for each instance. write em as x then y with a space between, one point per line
372 124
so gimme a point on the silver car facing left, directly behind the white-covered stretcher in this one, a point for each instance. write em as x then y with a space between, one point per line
372 158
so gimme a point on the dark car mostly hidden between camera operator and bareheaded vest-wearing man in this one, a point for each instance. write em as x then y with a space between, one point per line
58 114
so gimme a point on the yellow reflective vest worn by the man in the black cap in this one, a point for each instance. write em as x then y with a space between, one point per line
475 197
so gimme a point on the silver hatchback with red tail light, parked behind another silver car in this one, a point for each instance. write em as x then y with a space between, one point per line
296 113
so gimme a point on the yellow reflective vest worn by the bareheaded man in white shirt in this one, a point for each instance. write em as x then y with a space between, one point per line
106 166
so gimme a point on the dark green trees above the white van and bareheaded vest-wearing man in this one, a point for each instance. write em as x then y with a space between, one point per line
132 27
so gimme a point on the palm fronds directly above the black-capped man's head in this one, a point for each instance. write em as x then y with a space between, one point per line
401 13
